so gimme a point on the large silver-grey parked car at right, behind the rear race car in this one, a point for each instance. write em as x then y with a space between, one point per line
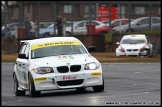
139 24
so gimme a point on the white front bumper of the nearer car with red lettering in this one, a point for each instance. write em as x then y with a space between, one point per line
68 80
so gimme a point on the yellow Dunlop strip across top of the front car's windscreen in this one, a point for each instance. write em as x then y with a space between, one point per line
37 46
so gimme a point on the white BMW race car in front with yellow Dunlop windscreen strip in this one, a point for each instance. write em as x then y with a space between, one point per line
56 63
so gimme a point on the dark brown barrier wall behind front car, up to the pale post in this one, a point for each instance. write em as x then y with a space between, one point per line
13 45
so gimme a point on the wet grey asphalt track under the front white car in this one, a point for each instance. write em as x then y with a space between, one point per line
125 84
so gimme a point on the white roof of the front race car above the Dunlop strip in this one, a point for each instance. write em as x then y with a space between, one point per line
51 39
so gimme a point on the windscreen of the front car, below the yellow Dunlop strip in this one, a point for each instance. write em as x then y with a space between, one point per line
57 50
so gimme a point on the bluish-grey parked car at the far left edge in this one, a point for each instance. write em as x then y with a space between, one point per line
9 31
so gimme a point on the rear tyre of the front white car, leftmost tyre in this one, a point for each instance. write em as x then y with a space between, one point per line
16 85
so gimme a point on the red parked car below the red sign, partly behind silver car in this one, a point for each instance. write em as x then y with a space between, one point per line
117 22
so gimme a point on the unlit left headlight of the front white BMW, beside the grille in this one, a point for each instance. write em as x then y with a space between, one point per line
44 70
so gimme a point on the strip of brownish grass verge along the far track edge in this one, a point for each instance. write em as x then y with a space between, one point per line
102 57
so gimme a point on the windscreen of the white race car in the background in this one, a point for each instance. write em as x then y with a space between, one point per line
133 41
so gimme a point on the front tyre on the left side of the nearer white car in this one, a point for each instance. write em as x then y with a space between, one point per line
32 91
